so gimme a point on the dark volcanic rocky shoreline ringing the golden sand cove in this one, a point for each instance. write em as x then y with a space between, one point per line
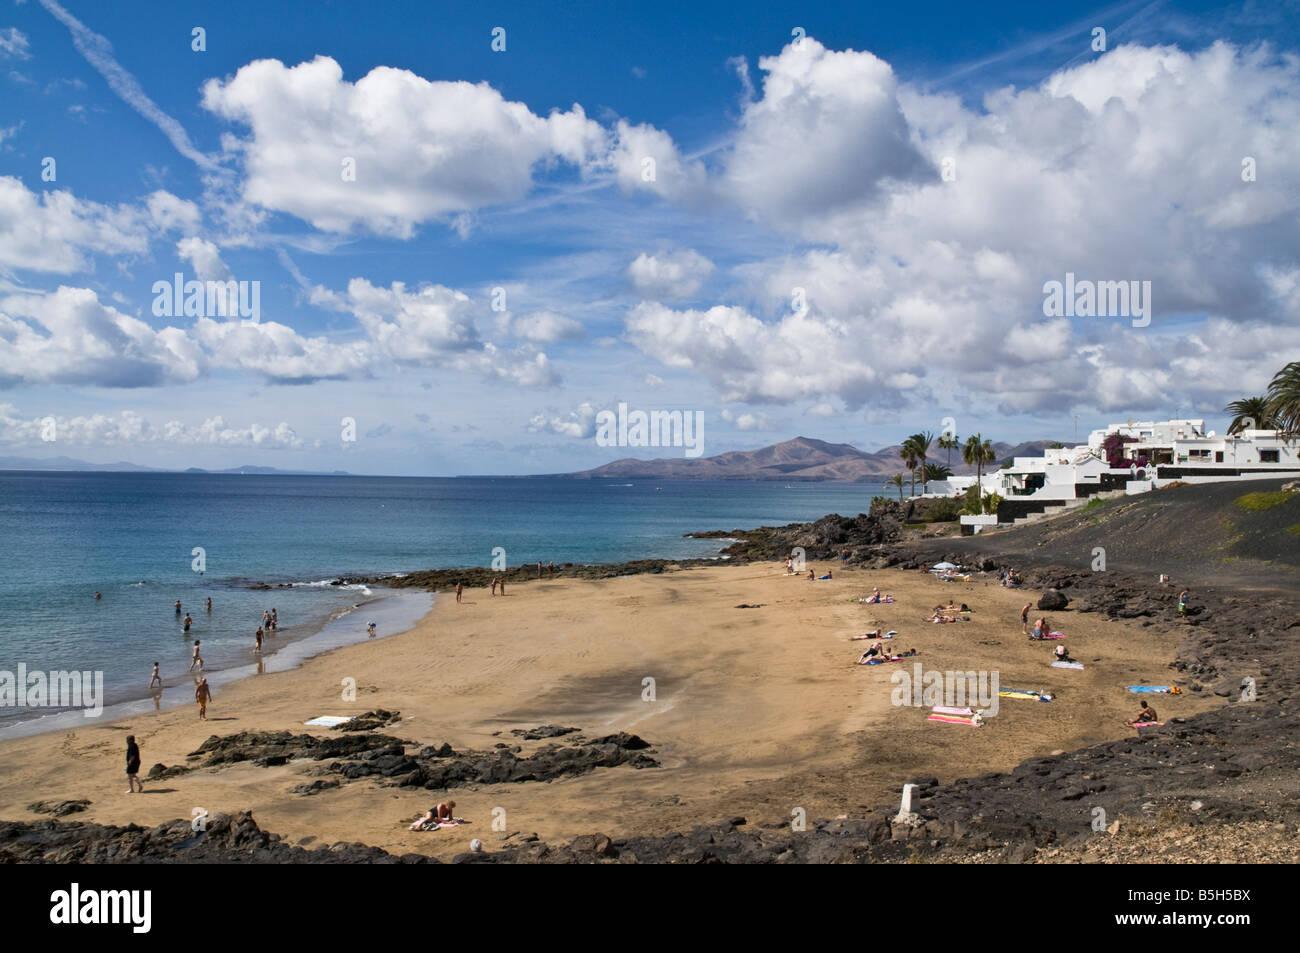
1237 765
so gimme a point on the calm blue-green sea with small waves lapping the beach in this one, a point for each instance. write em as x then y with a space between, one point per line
145 542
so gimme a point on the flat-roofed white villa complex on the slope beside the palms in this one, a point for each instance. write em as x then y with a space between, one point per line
1154 454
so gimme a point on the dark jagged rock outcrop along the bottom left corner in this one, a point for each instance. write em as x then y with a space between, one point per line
224 839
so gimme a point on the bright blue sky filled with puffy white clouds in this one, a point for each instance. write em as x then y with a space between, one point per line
794 150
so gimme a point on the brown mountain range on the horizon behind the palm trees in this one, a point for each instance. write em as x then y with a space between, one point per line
800 460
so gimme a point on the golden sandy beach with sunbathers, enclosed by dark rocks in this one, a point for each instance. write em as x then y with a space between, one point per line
755 712
